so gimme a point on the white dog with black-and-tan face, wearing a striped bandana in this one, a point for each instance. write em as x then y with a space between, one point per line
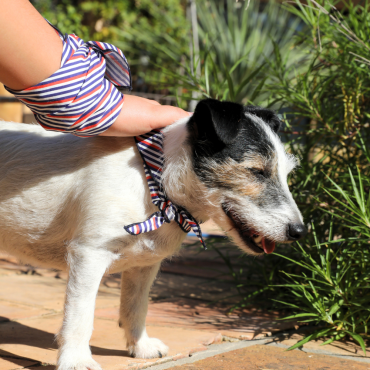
64 201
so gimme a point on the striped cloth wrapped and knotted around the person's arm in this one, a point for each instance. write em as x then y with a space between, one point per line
82 96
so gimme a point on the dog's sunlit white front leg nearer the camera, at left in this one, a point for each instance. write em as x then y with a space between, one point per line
86 268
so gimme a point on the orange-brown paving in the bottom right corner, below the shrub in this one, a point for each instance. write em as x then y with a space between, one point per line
261 357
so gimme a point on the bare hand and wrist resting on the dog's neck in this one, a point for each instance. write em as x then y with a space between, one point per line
139 116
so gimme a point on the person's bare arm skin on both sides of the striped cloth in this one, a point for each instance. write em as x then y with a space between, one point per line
31 52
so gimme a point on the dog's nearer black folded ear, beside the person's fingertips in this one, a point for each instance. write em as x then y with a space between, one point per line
217 121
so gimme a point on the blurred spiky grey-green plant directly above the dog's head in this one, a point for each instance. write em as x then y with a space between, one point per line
234 49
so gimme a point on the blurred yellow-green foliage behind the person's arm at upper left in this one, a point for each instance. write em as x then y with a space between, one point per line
135 26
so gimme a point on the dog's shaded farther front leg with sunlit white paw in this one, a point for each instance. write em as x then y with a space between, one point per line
135 286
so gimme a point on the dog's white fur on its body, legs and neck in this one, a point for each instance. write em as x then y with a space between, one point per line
63 204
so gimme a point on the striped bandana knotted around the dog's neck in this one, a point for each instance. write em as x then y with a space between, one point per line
150 147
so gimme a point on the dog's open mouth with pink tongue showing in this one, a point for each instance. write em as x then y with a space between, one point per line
256 242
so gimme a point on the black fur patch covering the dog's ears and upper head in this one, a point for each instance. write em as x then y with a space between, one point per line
220 131
